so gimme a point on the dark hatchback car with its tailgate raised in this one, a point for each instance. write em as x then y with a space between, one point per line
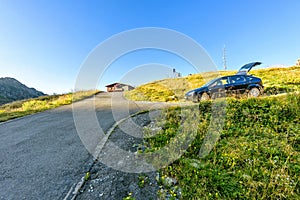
238 84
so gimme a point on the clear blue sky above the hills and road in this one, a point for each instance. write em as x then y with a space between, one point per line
44 43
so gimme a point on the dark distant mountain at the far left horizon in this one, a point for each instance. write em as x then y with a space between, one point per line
12 90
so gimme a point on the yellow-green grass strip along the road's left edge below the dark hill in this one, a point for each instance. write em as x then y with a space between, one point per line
26 107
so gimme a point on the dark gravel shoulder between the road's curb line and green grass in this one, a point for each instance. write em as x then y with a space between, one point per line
109 183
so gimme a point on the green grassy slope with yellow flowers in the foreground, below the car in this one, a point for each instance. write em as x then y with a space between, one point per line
257 155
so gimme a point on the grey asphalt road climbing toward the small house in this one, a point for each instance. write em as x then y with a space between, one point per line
42 155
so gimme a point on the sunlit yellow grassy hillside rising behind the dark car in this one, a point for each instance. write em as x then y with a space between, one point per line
274 79
